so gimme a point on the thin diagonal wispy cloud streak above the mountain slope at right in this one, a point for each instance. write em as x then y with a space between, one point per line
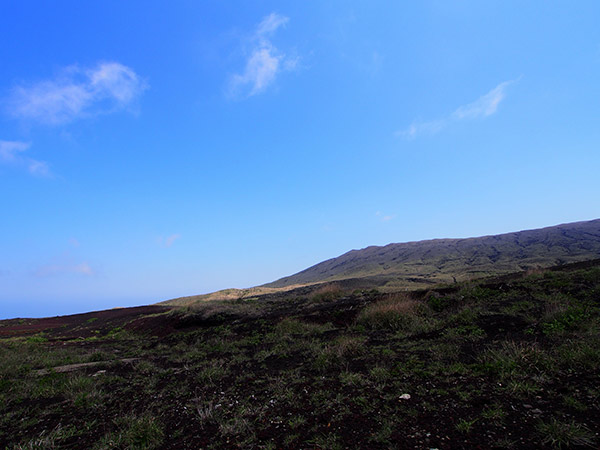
484 106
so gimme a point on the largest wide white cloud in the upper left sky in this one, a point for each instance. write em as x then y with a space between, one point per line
77 92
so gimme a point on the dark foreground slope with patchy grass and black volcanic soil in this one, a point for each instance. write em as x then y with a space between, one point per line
511 362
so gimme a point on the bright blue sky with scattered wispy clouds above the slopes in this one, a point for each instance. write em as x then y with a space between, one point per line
150 150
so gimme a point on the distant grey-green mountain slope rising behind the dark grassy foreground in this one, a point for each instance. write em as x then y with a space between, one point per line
418 264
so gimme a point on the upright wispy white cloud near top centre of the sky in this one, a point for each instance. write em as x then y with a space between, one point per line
264 62
